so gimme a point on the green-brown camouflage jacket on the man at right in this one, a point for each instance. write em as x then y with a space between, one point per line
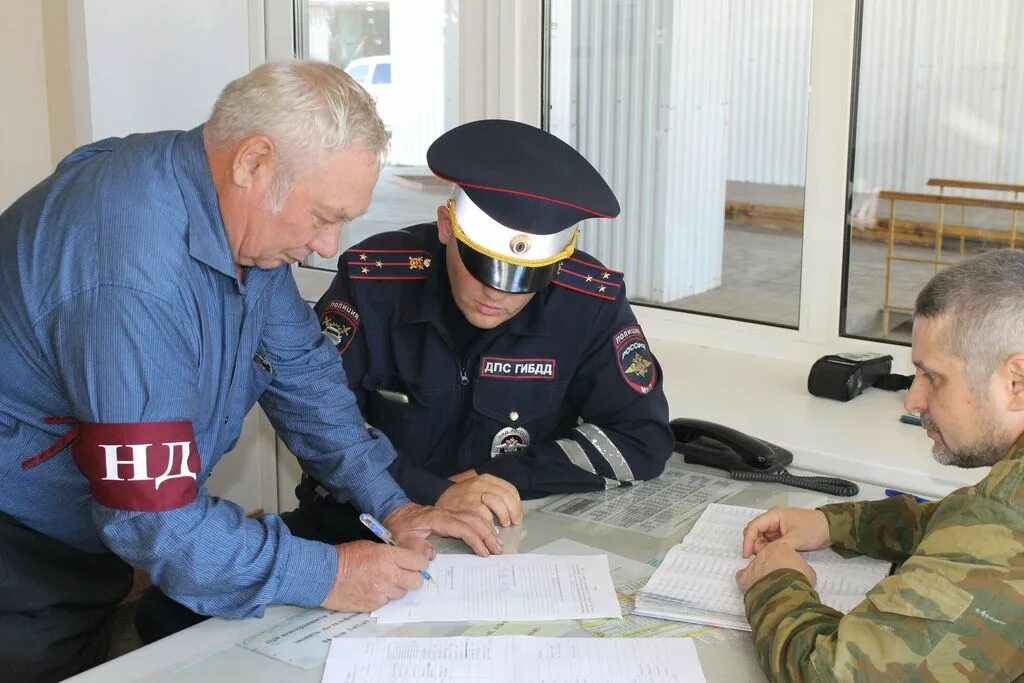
953 612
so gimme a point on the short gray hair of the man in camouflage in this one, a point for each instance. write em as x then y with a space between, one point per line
984 301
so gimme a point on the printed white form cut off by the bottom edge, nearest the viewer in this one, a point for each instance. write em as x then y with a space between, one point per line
513 659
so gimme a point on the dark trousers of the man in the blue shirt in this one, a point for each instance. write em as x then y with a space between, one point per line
57 605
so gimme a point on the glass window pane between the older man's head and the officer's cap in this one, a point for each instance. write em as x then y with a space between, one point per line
420 39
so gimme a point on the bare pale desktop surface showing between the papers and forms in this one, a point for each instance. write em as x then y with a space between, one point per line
210 652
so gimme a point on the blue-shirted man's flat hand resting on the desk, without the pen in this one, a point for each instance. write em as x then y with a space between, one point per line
412 524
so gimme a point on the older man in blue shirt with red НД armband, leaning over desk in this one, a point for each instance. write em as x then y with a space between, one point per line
146 306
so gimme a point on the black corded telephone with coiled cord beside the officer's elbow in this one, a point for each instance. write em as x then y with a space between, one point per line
747 458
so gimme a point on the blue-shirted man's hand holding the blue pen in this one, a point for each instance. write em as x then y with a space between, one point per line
371 574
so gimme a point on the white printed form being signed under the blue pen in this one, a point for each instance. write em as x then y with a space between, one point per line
525 588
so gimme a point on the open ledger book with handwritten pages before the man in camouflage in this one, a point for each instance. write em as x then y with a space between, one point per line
697 582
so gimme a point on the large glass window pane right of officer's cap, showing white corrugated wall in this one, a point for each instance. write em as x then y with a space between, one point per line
697 115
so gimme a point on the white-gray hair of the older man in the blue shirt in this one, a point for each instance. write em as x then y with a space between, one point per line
310 110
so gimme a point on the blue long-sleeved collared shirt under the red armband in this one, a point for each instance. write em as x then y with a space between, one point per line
120 304
